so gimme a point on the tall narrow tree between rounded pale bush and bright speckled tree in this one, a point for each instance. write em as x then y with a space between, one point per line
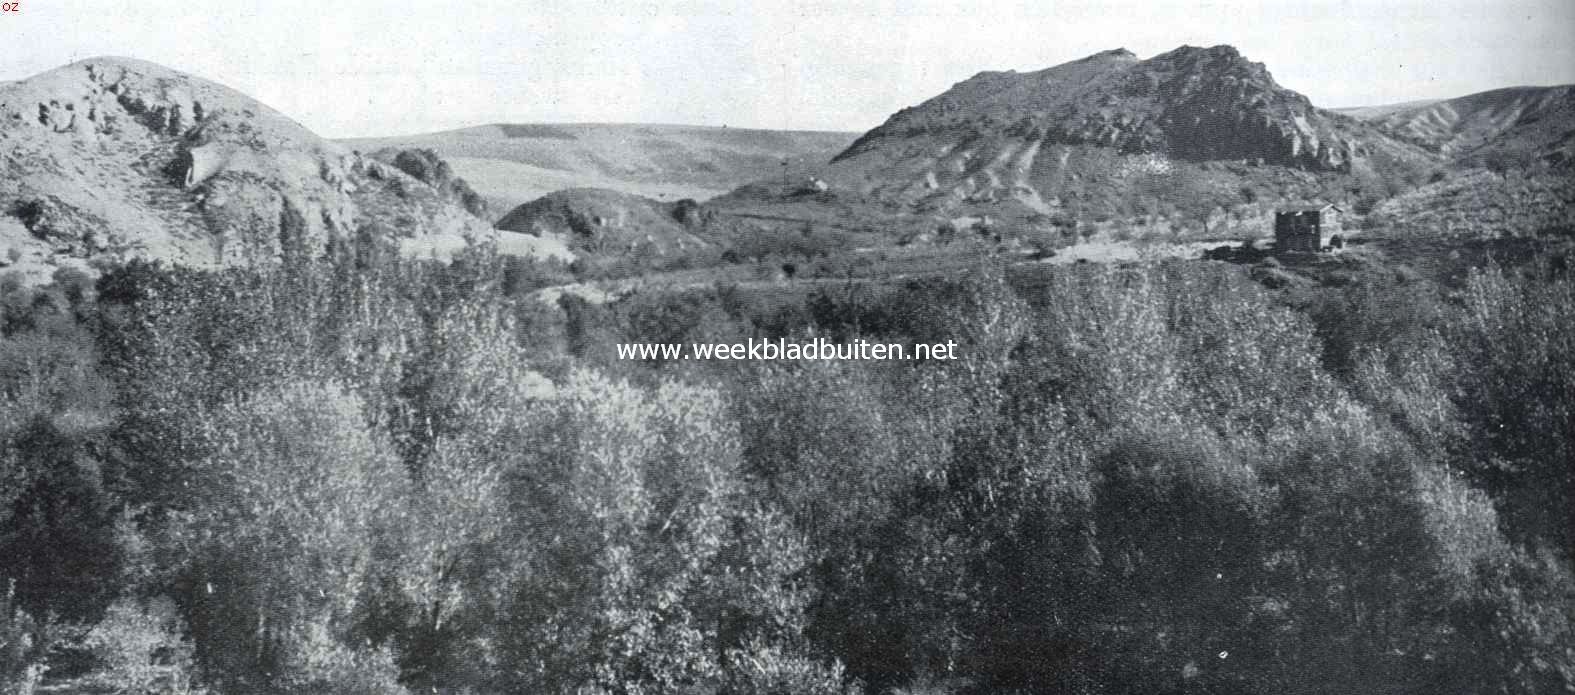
476 407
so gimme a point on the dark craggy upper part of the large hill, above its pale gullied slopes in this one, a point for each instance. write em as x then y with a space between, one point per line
1201 105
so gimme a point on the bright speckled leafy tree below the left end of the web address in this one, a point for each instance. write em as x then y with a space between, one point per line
621 510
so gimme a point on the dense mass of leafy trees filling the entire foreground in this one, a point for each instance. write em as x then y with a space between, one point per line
406 477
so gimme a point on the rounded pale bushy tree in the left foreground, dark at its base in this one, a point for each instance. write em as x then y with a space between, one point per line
286 516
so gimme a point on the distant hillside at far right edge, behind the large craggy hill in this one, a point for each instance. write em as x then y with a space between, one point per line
1521 125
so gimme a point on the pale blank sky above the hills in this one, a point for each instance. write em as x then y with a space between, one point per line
393 67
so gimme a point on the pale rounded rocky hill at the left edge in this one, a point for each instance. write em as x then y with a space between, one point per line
116 158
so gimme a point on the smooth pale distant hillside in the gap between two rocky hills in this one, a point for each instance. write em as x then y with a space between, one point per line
511 165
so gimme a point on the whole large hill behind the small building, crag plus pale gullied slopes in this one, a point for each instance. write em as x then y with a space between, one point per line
1185 135
